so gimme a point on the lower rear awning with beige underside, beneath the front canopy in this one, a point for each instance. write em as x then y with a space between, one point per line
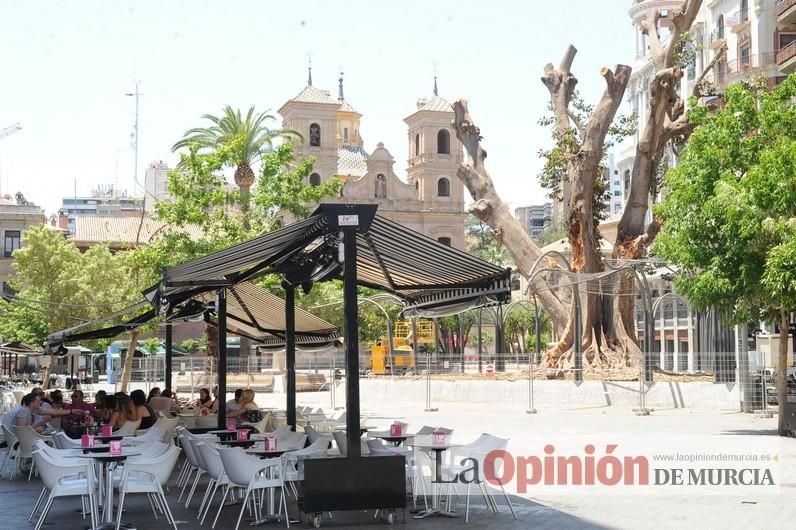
252 312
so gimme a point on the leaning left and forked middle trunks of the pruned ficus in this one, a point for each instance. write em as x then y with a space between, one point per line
582 142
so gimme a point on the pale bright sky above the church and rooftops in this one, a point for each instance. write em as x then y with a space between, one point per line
65 67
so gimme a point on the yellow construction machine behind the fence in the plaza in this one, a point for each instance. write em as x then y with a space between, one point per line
403 358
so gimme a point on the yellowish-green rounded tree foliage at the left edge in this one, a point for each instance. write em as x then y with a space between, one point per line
58 287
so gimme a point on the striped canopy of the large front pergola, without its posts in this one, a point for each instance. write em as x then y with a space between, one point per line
391 257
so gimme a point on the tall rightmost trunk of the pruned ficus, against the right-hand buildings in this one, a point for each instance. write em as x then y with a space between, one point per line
667 121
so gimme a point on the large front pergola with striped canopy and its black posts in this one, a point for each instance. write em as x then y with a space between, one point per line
338 241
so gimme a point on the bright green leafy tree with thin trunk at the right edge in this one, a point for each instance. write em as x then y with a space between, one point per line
729 213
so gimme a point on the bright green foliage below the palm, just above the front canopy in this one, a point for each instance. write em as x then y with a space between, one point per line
205 214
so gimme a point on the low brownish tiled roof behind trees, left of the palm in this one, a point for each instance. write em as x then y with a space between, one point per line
119 231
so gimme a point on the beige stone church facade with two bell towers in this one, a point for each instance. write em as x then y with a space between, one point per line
431 198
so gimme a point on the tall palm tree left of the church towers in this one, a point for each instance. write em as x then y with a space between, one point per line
248 137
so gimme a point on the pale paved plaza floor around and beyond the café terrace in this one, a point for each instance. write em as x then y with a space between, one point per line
536 511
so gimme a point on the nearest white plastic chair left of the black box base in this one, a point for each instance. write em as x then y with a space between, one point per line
253 474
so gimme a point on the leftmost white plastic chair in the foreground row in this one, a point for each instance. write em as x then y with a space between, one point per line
60 479
